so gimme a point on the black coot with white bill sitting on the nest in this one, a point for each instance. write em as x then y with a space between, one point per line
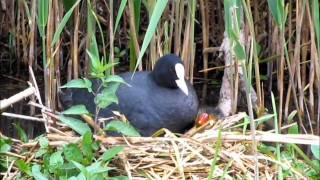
158 99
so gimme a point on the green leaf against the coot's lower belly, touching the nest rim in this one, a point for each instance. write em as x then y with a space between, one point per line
122 127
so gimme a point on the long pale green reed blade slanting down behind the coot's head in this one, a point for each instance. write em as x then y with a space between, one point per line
154 20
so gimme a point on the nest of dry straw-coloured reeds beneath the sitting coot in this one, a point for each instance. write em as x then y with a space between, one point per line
217 148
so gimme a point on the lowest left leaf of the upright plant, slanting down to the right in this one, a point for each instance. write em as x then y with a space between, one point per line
75 124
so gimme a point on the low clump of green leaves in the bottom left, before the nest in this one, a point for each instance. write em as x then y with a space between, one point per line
72 161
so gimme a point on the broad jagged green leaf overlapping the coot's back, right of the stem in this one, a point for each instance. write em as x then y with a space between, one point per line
106 97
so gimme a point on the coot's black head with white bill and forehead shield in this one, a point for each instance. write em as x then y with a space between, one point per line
169 72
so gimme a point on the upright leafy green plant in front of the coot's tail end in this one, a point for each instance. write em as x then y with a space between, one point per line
104 95
